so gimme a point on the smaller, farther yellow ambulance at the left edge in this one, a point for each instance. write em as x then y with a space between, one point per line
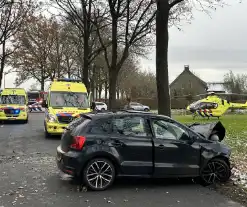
13 104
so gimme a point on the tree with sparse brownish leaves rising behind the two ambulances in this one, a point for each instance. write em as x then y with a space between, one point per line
34 45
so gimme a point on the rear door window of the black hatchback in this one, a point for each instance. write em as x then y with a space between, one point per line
130 126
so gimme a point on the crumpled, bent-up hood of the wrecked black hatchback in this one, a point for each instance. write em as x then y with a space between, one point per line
207 130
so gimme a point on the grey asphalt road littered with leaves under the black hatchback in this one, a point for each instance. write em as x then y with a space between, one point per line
29 177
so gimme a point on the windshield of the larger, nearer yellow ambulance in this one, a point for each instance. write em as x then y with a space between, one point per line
69 99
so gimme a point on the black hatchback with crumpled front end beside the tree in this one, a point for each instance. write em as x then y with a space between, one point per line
98 147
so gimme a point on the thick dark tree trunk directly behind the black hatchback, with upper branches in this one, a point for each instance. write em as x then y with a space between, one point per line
164 10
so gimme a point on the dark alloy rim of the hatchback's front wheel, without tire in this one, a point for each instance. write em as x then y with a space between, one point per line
214 172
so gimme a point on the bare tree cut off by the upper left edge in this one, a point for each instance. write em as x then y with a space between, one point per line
12 15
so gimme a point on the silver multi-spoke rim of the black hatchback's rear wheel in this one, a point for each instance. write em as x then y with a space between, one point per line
99 174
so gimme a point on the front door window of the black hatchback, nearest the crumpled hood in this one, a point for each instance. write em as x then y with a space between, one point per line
167 130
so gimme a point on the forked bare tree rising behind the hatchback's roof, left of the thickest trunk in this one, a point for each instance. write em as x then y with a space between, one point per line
131 28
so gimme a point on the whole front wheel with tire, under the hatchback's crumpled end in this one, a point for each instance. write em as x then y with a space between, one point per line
216 171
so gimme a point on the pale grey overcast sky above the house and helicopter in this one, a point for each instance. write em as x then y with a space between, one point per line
211 46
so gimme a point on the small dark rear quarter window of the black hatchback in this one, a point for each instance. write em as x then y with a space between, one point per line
100 127
